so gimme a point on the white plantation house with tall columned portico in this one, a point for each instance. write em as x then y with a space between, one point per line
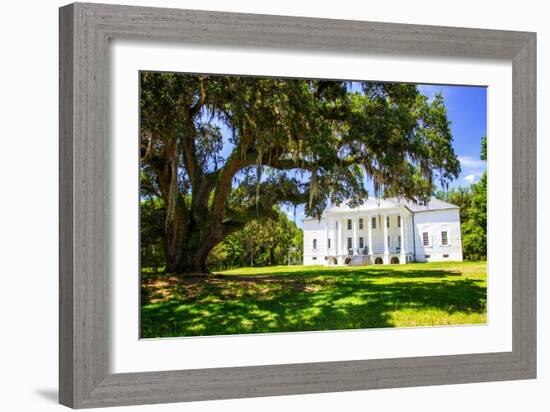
383 231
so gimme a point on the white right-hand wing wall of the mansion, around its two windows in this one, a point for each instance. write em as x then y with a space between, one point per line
433 223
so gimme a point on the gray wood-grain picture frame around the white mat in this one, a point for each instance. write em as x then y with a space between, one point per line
85 31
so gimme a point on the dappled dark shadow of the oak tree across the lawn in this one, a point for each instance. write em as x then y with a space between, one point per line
222 305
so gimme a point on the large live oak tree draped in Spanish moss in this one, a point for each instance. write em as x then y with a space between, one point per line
220 151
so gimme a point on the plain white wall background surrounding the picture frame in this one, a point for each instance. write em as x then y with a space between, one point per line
28 211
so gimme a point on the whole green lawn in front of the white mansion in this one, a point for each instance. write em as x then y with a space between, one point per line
310 298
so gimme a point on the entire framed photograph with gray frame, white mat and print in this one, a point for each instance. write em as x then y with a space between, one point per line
257 205
